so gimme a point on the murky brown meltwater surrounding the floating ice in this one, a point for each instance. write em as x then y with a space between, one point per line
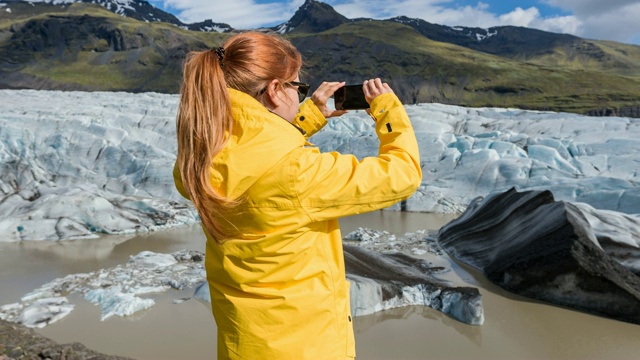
514 328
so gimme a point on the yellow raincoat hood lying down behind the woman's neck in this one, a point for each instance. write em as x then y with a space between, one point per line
259 139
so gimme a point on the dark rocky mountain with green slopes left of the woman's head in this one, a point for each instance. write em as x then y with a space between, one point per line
87 47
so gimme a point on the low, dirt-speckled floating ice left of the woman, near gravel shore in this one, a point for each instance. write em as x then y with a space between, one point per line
117 291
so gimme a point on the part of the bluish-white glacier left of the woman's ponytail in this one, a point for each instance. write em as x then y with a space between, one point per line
72 168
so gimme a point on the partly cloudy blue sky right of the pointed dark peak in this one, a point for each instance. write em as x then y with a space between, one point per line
597 19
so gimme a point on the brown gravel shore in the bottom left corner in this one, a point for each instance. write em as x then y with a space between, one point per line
19 342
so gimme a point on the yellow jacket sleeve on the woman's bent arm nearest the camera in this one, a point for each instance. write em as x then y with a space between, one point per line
332 185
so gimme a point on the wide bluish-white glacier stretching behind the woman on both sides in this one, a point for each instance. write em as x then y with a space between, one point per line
77 164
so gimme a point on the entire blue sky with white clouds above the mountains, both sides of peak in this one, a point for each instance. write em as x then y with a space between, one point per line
594 19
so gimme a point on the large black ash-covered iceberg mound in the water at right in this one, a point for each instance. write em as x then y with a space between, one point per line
537 247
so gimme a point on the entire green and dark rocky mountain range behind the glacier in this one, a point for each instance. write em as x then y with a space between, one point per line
86 46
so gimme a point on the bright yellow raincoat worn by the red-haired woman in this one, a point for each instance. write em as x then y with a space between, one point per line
278 286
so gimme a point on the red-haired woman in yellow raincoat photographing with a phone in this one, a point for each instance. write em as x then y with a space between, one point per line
269 202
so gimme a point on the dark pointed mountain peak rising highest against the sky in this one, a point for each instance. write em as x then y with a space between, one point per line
313 16
